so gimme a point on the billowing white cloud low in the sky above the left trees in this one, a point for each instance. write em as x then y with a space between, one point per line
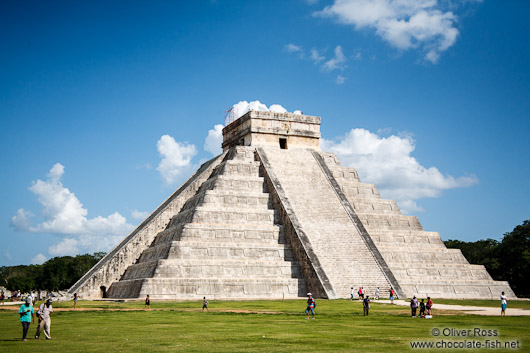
63 213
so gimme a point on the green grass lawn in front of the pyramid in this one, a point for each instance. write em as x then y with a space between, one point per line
247 326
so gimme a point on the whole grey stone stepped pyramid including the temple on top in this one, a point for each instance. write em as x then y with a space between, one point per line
274 217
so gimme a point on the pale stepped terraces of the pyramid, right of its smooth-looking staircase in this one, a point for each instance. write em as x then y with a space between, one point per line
419 260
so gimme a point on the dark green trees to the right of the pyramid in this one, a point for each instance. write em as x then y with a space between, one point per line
505 260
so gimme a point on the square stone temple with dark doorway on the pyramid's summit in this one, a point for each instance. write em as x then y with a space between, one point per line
259 128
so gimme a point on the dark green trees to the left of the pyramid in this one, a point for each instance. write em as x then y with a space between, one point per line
55 274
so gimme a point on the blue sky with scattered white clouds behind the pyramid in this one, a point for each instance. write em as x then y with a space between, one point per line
108 107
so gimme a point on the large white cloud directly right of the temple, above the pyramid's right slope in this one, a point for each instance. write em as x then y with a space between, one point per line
388 163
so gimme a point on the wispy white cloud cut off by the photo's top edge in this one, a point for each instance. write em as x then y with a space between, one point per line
404 24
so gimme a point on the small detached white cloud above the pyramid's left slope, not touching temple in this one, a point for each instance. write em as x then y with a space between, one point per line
176 158
